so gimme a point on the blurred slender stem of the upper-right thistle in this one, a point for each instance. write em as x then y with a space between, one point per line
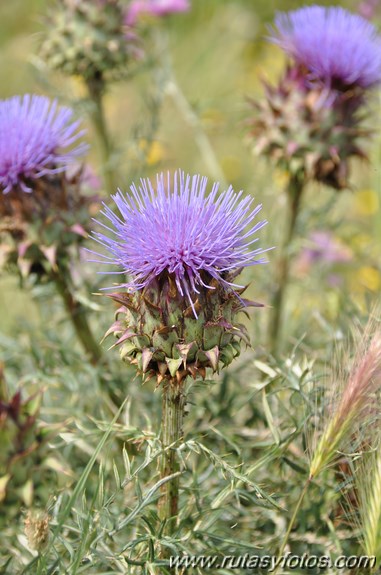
294 193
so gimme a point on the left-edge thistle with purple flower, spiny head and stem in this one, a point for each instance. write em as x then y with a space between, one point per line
43 212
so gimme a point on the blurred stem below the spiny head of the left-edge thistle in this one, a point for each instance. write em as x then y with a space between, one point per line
77 314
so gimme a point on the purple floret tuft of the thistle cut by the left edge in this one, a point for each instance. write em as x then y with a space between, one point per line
36 139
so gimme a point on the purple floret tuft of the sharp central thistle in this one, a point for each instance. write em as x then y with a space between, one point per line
181 230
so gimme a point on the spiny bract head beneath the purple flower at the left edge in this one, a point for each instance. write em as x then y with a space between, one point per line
38 229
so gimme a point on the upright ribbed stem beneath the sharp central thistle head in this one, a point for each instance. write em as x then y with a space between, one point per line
172 432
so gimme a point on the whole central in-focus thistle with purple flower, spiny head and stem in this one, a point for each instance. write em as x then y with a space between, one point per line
181 249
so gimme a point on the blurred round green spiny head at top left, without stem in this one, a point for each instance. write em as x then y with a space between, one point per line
86 38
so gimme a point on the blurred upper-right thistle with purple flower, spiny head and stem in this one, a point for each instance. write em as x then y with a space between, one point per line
311 123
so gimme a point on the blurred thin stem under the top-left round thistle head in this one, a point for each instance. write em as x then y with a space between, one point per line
96 89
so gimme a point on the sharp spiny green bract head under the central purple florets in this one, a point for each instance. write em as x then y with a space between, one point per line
158 332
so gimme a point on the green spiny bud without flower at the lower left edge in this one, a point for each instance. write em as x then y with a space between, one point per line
24 453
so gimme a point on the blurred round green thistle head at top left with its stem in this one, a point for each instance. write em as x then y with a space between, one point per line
87 38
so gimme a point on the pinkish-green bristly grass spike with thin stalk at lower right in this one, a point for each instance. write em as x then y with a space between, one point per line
354 407
